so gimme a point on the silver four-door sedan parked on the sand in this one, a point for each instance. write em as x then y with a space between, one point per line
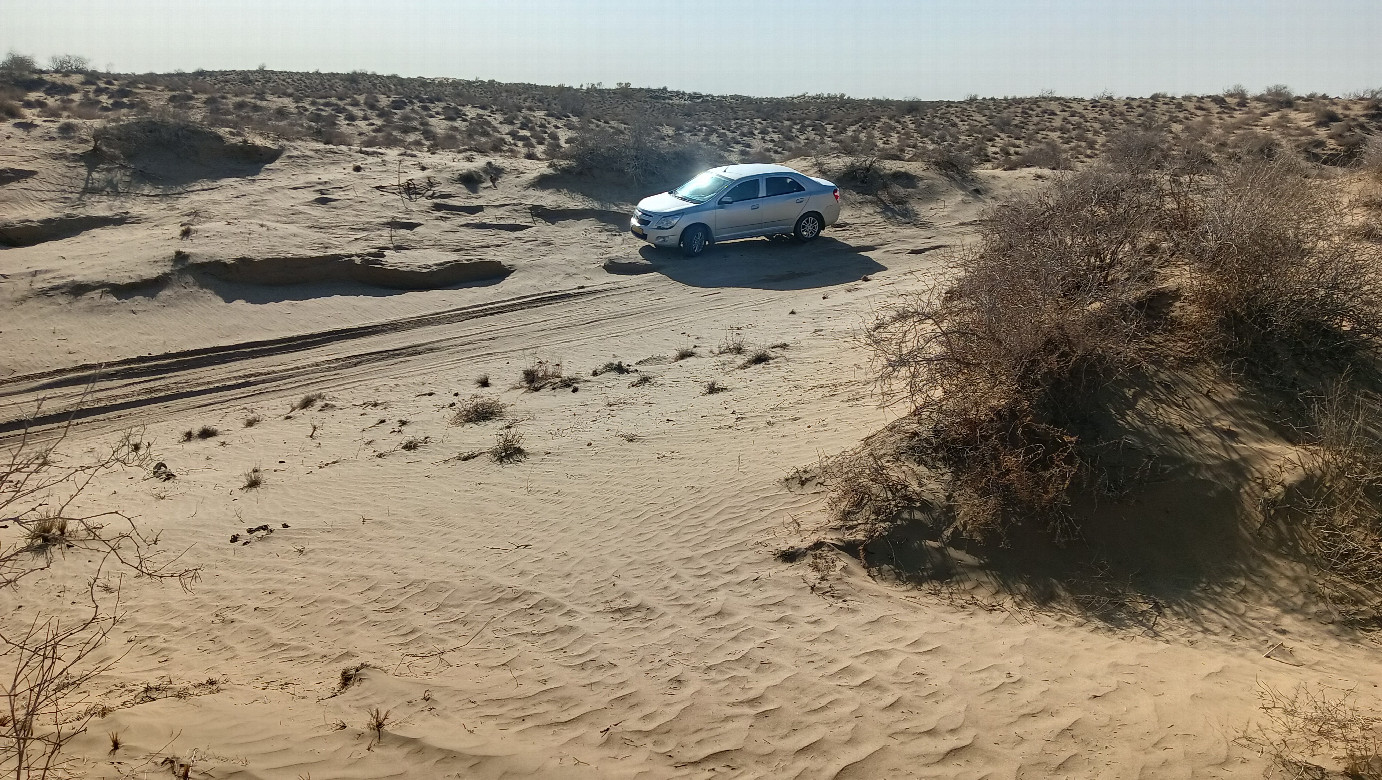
737 201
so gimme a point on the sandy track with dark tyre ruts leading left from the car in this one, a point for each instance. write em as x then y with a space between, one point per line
143 389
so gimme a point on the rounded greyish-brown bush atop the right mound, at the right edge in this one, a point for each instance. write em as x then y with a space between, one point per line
1272 268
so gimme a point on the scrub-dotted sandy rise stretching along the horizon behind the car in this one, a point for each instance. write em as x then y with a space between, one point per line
657 136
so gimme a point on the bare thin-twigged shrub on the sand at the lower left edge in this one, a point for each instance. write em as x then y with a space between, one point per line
50 662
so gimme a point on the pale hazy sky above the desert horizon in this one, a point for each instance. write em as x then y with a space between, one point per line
920 49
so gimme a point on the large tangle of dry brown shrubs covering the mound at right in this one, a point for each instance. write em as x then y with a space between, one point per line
1153 269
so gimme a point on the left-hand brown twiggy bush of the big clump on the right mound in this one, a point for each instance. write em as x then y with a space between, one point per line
1004 364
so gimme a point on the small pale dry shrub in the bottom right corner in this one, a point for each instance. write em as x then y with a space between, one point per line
1309 727
